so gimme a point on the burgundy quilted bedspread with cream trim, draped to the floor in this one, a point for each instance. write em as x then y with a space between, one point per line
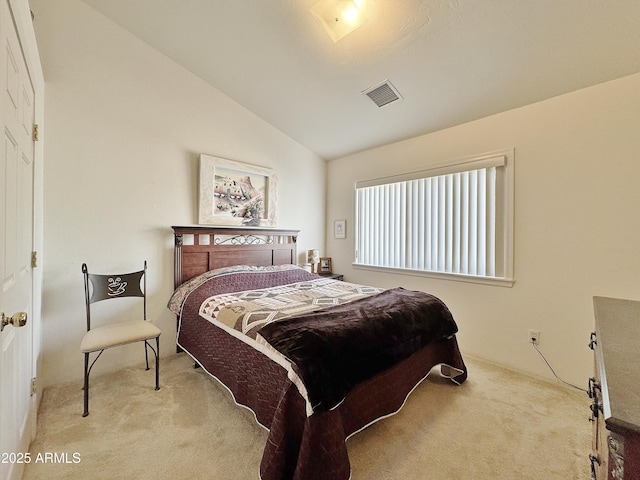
302 444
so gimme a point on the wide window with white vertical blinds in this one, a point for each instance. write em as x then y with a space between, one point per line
453 220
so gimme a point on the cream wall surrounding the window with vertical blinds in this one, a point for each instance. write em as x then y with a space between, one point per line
577 222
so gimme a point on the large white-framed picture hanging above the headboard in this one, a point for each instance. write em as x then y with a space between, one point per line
235 193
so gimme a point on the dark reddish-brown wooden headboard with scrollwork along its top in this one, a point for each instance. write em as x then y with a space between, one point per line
201 248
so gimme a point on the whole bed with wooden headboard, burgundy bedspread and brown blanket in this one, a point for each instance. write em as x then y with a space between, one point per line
309 402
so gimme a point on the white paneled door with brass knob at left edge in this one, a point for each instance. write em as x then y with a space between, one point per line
16 237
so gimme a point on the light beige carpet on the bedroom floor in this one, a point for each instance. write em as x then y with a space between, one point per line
497 425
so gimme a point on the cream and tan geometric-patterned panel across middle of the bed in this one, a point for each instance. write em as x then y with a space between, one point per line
249 311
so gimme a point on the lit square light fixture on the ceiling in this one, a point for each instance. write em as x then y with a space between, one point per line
338 17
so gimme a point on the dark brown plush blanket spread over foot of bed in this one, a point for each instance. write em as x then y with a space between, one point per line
334 349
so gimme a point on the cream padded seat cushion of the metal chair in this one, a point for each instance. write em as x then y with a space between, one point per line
117 334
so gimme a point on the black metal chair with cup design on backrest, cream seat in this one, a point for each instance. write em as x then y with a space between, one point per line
120 332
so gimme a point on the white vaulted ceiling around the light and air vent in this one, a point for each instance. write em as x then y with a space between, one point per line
452 61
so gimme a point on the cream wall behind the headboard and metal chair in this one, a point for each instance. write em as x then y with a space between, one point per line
124 128
